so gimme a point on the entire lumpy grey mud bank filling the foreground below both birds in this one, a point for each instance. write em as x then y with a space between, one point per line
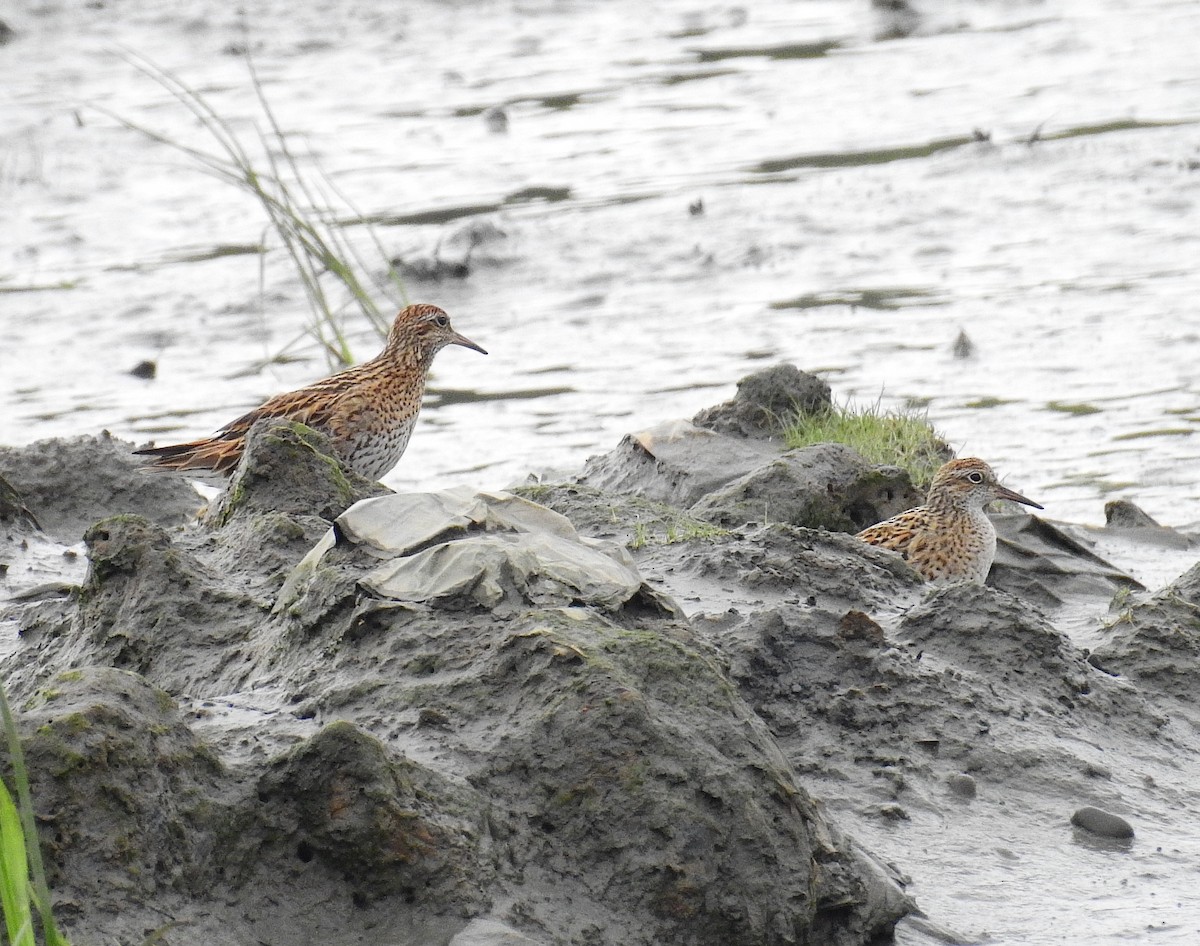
580 714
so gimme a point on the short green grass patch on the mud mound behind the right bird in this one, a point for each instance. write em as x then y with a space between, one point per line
903 439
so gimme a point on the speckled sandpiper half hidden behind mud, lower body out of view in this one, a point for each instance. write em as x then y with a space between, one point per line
950 538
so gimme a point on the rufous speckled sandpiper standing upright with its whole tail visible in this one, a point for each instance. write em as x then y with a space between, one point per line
368 411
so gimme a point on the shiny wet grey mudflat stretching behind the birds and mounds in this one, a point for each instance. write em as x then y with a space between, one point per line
628 203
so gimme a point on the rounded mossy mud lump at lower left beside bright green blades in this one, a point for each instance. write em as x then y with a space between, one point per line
128 794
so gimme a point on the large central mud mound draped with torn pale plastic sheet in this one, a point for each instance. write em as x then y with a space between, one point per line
631 710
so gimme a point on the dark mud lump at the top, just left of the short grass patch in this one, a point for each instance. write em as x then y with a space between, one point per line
765 402
